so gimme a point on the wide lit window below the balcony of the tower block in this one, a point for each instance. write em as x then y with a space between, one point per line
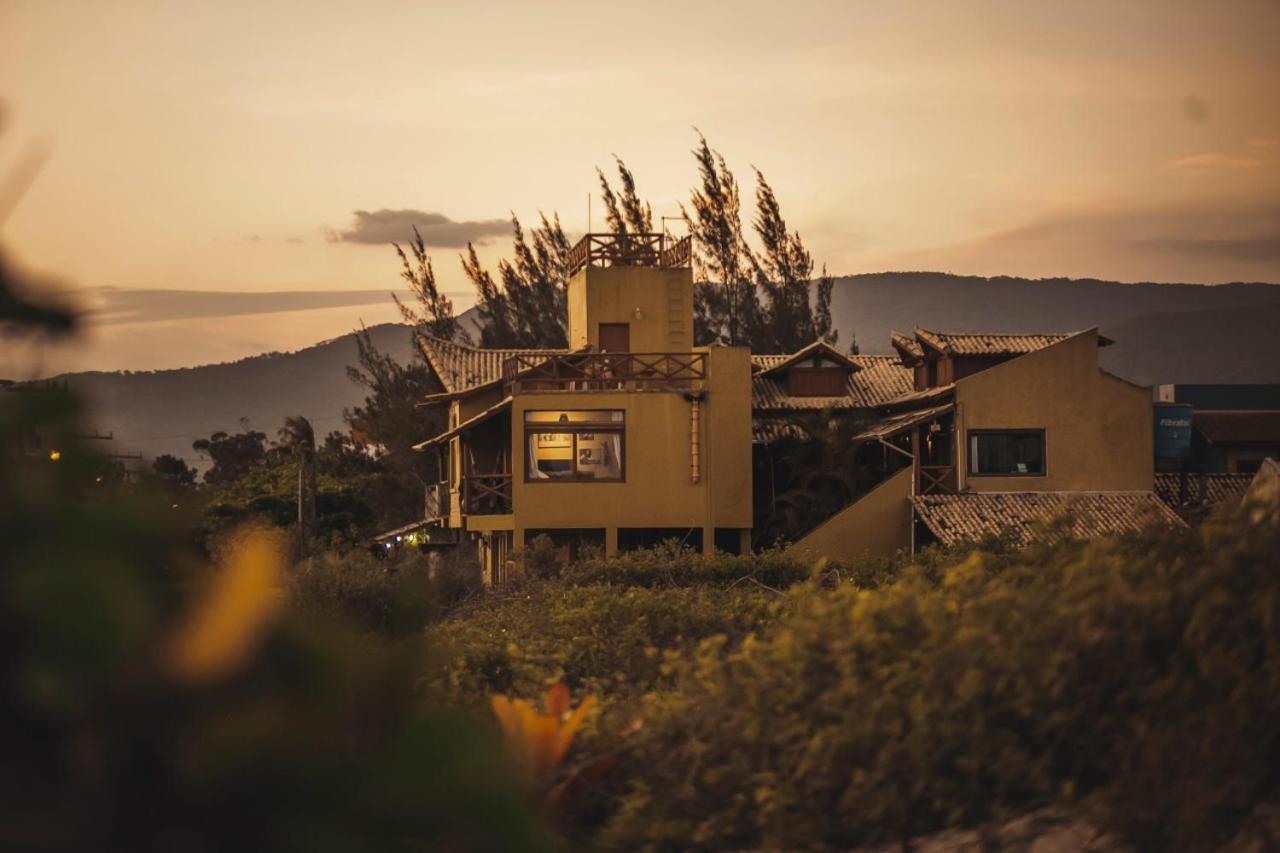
584 445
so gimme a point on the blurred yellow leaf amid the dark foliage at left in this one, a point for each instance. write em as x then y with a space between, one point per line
230 621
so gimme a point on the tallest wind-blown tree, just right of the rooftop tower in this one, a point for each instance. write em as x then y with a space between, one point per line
726 307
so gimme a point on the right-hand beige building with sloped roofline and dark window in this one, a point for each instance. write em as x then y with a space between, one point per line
1000 435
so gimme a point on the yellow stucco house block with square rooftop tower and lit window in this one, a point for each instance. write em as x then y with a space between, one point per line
629 437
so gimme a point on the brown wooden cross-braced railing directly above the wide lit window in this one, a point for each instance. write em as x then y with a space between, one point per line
605 372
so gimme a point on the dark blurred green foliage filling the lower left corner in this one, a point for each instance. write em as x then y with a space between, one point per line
317 743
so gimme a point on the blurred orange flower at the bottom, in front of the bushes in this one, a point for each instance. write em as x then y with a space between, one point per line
541 740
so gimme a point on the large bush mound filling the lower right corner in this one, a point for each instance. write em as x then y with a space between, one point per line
1139 678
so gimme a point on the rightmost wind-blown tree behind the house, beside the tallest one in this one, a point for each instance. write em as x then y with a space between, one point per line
784 272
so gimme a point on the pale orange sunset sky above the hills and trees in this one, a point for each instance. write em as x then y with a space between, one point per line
228 147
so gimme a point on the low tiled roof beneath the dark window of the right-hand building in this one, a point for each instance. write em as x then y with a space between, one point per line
959 518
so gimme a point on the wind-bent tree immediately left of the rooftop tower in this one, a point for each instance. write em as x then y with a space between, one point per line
528 305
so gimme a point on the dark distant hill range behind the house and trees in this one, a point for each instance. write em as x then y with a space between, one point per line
1185 334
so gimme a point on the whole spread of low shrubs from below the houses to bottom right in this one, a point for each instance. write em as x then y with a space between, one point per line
1135 682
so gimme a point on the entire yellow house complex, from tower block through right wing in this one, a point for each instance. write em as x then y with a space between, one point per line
633 435
